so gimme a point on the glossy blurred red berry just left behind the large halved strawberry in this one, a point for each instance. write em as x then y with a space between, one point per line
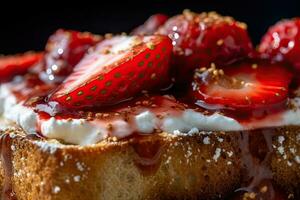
63 51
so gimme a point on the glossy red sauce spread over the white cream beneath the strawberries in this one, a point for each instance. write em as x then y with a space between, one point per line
31 86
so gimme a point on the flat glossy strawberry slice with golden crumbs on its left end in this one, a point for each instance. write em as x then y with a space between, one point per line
243 86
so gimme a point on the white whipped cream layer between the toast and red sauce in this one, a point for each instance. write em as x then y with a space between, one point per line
145 121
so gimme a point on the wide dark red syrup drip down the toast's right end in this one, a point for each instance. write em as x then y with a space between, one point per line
256 152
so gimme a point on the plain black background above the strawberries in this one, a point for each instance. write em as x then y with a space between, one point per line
28 29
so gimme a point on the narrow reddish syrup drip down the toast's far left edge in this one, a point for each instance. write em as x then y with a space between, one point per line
6 160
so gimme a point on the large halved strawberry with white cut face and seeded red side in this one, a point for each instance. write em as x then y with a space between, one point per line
119 68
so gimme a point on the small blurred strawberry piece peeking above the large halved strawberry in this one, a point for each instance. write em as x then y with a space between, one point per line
151 25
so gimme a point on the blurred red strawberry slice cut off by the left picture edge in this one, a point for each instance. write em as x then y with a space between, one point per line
17 64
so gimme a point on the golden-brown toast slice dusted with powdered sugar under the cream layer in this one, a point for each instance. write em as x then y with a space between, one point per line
207 165
